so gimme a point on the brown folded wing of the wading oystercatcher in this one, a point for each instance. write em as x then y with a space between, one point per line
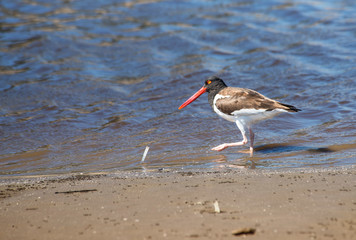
242 98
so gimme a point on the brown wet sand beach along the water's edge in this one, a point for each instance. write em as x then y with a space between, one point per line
254 204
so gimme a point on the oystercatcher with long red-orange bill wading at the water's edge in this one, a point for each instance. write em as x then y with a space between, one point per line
240 105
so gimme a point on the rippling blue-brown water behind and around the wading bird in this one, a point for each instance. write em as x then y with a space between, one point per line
85 86
